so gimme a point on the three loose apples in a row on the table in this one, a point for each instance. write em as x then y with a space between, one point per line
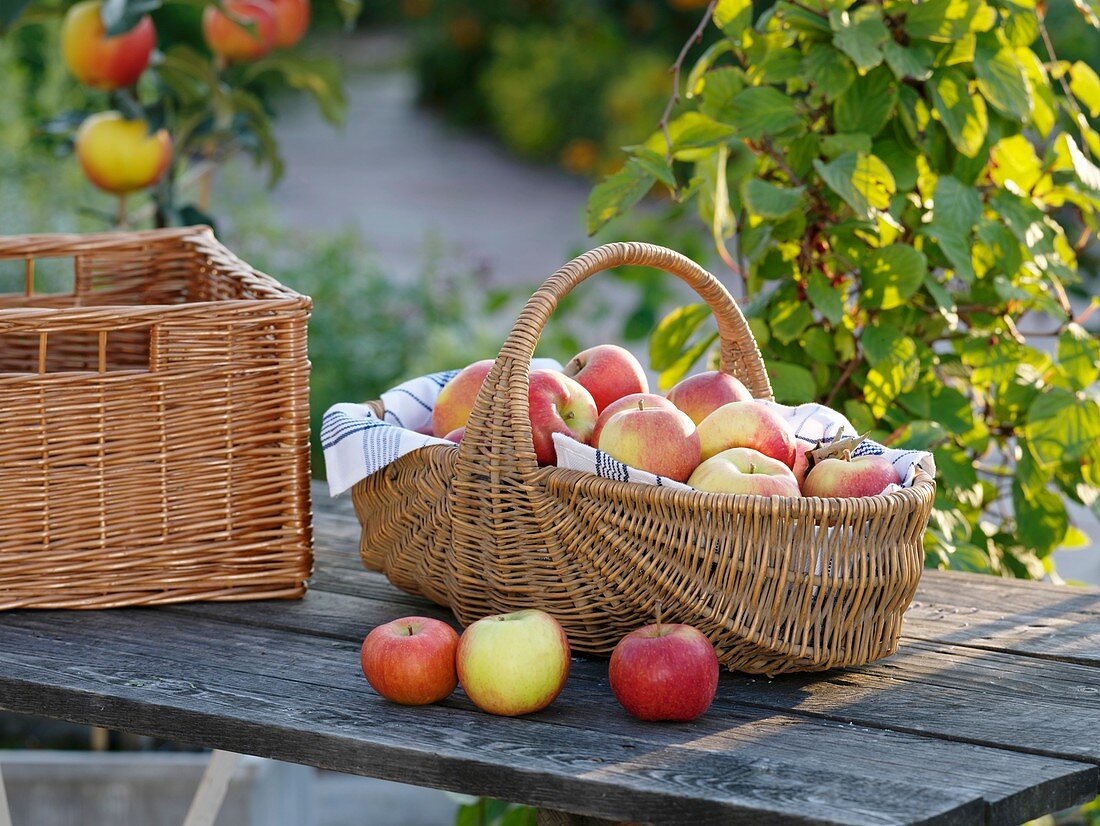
518 664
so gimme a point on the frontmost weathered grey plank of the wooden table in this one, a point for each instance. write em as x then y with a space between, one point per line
296 698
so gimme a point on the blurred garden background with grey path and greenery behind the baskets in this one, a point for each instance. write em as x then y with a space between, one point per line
419 168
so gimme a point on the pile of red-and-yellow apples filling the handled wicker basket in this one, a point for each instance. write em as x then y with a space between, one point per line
708 432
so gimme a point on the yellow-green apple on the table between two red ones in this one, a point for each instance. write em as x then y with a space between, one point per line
514 664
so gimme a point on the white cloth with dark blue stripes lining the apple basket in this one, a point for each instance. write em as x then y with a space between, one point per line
358 444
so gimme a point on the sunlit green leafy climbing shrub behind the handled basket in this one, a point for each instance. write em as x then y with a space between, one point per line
901 186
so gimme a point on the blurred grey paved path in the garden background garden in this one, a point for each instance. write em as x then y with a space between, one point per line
403 178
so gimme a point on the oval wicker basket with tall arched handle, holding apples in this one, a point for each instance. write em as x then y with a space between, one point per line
778 585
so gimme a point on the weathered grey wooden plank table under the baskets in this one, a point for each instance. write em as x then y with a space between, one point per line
989 713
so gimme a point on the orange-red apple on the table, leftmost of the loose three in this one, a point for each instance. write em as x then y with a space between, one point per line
412 660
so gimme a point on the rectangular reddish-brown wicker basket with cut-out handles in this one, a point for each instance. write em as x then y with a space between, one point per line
155 425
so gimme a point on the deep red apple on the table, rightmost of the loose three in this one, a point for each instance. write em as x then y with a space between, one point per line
665 673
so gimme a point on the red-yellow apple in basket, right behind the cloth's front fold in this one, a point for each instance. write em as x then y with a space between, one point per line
656 439
